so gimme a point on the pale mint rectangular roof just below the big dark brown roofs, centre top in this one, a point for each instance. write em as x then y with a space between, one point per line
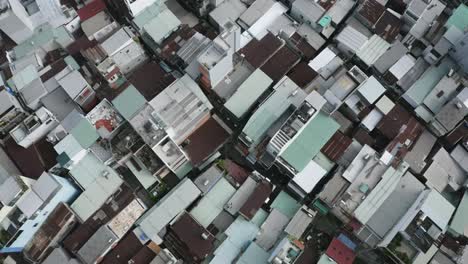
249 91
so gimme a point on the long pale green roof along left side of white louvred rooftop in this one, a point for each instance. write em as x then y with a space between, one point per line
272 108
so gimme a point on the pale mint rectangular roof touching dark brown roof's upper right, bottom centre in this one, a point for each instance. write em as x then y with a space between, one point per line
213 202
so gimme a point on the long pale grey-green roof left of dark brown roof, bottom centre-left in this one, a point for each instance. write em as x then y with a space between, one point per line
173 203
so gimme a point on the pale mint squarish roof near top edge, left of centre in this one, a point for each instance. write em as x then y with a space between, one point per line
161 26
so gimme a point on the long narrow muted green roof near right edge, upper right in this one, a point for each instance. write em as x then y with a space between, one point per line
424 85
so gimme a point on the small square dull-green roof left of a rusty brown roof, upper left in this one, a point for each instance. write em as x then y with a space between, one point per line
129 102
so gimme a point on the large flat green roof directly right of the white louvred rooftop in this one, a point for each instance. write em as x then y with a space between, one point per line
307 144
